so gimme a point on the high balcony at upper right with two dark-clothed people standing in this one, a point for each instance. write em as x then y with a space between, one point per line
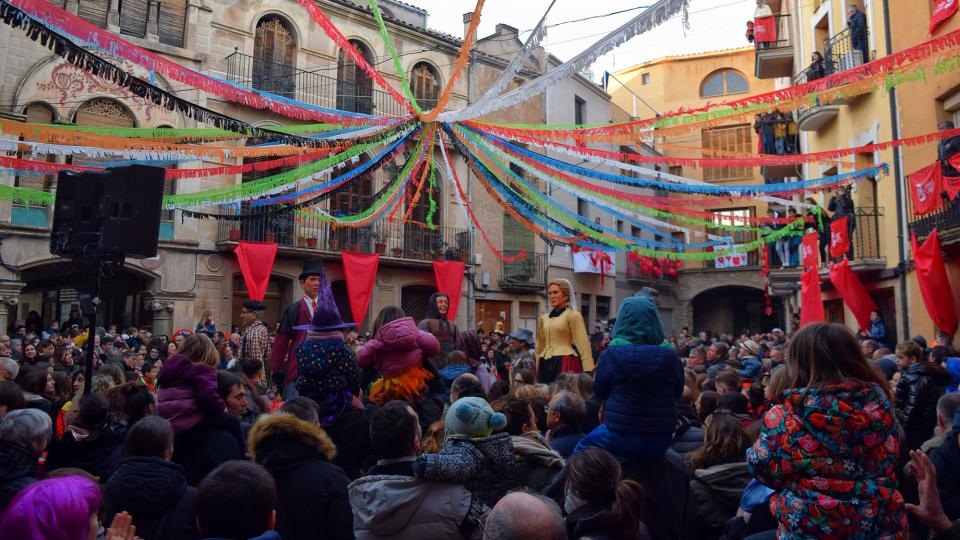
843 51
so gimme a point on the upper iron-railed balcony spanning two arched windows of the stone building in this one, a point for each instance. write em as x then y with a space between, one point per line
311 86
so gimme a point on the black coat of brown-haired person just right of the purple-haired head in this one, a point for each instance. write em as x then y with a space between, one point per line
155 493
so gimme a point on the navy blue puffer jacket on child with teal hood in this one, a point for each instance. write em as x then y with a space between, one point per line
640 385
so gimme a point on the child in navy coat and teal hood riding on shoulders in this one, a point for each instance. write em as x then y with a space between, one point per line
639 381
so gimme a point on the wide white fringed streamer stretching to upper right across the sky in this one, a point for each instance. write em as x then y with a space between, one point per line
644 22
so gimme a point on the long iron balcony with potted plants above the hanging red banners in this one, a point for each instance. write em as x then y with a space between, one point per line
304 236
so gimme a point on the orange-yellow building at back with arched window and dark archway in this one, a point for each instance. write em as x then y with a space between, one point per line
719 300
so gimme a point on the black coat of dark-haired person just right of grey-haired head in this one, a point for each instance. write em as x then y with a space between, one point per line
100 454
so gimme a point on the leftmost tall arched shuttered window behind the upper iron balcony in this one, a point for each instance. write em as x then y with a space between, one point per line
274 56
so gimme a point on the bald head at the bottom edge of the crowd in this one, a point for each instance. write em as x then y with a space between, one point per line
525 516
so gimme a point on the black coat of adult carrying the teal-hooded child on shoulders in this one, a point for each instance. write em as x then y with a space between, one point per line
665 481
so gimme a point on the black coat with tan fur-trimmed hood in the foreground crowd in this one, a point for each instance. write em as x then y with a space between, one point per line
311 491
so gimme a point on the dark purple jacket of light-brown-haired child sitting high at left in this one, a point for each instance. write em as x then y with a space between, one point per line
188 393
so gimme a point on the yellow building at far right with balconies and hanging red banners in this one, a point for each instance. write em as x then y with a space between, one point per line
881 247
